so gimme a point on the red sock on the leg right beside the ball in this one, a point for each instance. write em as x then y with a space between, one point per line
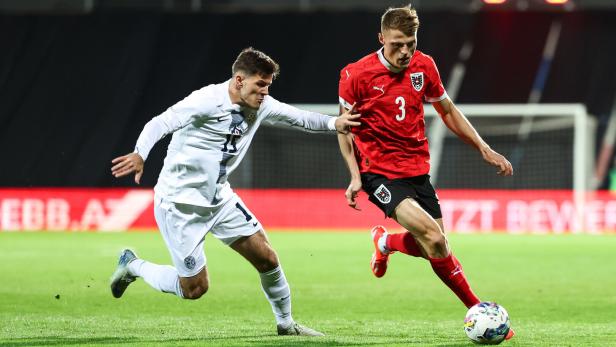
449 270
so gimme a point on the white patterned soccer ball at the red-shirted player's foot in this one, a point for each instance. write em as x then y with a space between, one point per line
487 323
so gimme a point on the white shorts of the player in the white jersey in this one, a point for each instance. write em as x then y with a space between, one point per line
184 227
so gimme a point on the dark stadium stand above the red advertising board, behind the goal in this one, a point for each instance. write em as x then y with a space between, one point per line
76 90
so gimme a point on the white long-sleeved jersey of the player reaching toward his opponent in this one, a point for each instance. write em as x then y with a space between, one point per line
210 137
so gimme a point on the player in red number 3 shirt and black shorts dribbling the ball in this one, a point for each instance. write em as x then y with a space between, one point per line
388 154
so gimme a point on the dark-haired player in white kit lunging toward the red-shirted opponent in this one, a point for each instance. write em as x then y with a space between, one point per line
212 130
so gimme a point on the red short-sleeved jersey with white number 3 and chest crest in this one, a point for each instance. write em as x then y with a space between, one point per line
391 140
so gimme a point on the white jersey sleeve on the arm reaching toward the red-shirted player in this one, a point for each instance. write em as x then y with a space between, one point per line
284 114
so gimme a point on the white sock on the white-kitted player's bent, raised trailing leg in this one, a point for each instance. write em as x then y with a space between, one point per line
163 278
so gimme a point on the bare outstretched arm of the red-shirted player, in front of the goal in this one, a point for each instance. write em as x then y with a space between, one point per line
459 125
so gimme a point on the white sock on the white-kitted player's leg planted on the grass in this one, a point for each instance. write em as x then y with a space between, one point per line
277 291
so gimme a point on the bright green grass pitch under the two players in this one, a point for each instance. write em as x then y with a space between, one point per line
559 291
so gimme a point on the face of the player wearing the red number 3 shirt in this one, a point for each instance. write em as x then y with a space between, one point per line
398 47
